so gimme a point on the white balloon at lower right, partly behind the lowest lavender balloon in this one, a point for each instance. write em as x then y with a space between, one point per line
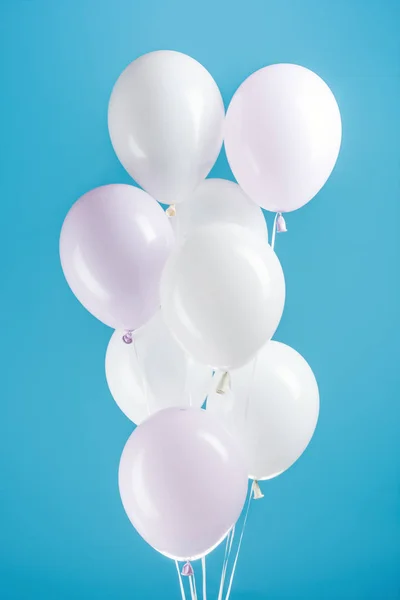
271 410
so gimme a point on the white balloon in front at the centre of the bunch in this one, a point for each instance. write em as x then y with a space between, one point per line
222 294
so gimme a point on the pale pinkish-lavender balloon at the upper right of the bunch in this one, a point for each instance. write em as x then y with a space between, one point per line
282 136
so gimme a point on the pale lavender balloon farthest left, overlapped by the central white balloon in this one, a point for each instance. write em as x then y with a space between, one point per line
113 246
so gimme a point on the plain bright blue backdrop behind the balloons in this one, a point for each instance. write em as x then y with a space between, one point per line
330 527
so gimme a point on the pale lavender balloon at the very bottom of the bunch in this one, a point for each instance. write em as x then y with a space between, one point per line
182 482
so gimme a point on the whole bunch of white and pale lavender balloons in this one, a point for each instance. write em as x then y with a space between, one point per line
195 293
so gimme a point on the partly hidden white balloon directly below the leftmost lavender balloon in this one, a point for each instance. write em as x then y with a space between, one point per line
153 372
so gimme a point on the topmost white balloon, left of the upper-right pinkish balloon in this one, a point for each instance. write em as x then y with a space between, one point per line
165 119
